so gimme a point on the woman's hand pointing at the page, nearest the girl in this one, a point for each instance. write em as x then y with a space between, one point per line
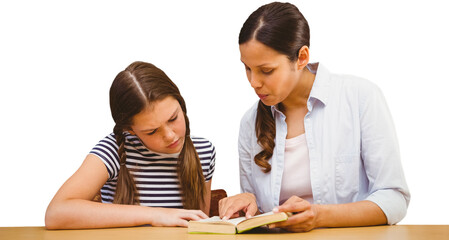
231 206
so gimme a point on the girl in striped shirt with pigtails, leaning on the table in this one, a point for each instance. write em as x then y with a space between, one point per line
147 169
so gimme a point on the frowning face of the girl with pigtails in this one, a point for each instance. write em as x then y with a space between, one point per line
161 127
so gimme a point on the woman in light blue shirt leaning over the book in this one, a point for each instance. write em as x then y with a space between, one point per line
320 145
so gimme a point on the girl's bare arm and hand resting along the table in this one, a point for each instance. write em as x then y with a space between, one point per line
73 208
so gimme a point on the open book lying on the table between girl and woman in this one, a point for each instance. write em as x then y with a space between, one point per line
234 225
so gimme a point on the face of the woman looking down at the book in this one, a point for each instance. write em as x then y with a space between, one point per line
272 75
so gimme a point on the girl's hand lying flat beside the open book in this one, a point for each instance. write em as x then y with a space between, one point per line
169 217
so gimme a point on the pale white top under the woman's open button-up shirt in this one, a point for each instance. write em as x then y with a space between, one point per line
296 175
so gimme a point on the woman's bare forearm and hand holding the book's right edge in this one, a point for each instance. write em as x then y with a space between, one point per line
309 216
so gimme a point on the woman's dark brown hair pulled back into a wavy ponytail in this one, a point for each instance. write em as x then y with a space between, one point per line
282 27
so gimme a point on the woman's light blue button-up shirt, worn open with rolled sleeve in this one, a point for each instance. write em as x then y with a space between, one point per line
353 148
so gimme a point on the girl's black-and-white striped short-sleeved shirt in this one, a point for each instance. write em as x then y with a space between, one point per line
154 173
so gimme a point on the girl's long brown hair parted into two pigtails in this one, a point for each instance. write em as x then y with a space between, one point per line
133 89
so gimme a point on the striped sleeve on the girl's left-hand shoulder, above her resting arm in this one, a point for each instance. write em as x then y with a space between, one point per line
107 150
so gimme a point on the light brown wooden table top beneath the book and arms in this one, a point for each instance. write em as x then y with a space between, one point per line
433 232
